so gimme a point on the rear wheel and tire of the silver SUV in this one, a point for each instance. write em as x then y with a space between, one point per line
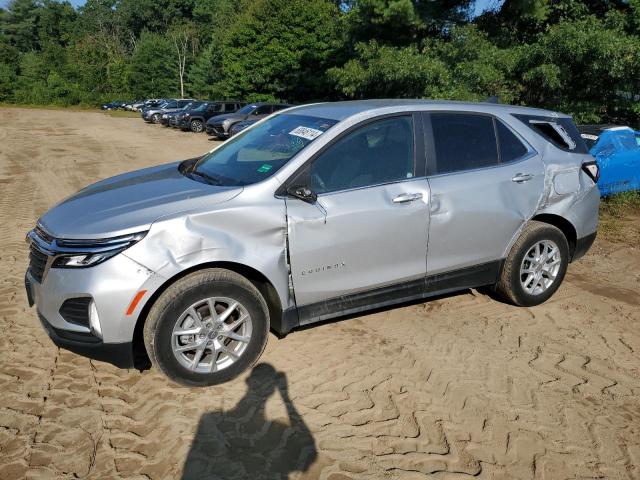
518 283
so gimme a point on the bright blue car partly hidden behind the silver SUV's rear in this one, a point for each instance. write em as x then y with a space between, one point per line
617 151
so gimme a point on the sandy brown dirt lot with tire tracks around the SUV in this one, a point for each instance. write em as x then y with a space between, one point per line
455 387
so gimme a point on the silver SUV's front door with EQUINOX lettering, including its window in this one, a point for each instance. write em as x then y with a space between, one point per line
368 227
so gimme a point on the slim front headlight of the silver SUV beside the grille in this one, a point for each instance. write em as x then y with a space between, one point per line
87 253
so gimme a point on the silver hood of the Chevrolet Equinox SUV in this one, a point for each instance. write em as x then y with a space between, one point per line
130 202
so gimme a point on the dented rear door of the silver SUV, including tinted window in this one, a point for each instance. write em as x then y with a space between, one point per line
477 208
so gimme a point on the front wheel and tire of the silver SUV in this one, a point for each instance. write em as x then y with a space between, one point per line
167 316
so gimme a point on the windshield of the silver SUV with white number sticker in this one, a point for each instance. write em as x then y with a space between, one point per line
261 151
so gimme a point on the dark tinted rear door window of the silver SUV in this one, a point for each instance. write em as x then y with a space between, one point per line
463 141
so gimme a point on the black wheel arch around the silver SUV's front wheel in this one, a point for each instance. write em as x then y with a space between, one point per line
258 279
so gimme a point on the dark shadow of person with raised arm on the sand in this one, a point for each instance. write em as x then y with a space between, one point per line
243 444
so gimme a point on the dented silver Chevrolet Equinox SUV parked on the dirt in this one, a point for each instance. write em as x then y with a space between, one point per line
313 213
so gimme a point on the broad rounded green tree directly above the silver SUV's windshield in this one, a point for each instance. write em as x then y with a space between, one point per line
280 49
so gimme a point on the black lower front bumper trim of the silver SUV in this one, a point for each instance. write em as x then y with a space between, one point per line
118 354
